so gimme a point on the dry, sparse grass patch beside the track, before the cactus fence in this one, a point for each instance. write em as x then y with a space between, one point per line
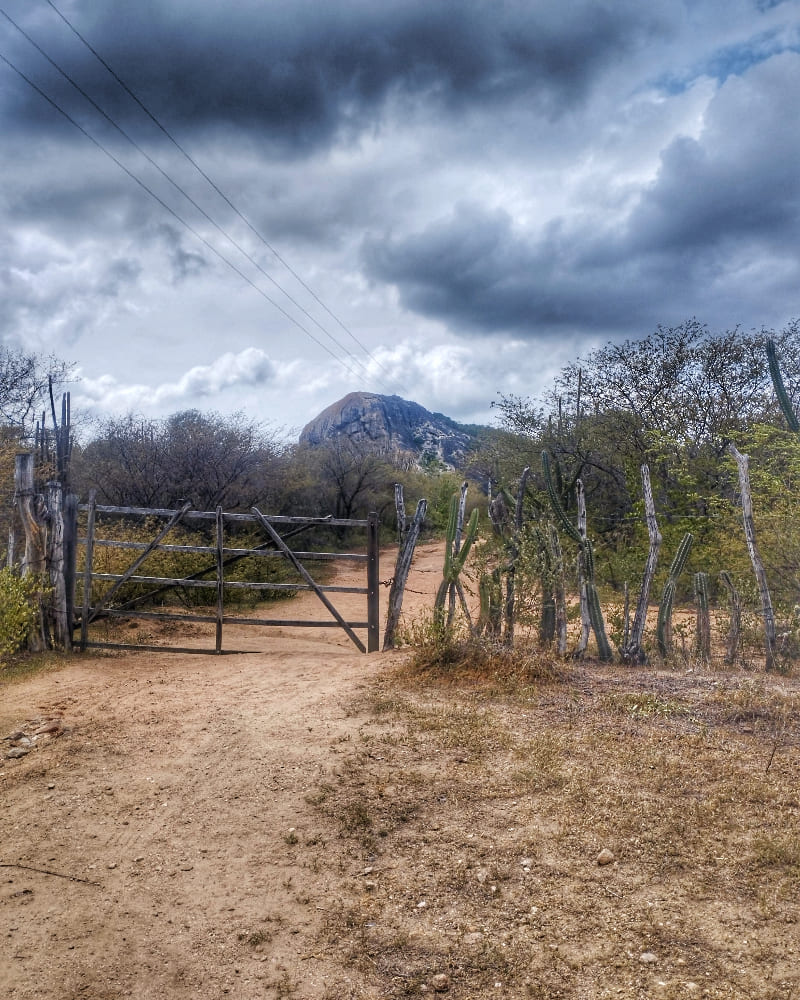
476 805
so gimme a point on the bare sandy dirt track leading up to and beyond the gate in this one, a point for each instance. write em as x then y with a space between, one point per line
158 841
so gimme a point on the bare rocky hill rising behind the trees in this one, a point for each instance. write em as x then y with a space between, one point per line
393 426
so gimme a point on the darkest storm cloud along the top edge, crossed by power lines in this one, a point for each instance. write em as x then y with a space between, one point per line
304 71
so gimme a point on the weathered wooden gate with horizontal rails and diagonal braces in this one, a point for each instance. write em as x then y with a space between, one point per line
222 556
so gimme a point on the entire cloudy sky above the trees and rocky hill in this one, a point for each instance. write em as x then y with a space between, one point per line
444 200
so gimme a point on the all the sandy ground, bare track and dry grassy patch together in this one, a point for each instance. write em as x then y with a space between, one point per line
301 820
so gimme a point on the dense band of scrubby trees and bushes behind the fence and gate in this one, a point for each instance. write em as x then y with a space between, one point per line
673 400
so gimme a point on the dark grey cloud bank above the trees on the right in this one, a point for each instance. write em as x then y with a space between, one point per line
723 206
